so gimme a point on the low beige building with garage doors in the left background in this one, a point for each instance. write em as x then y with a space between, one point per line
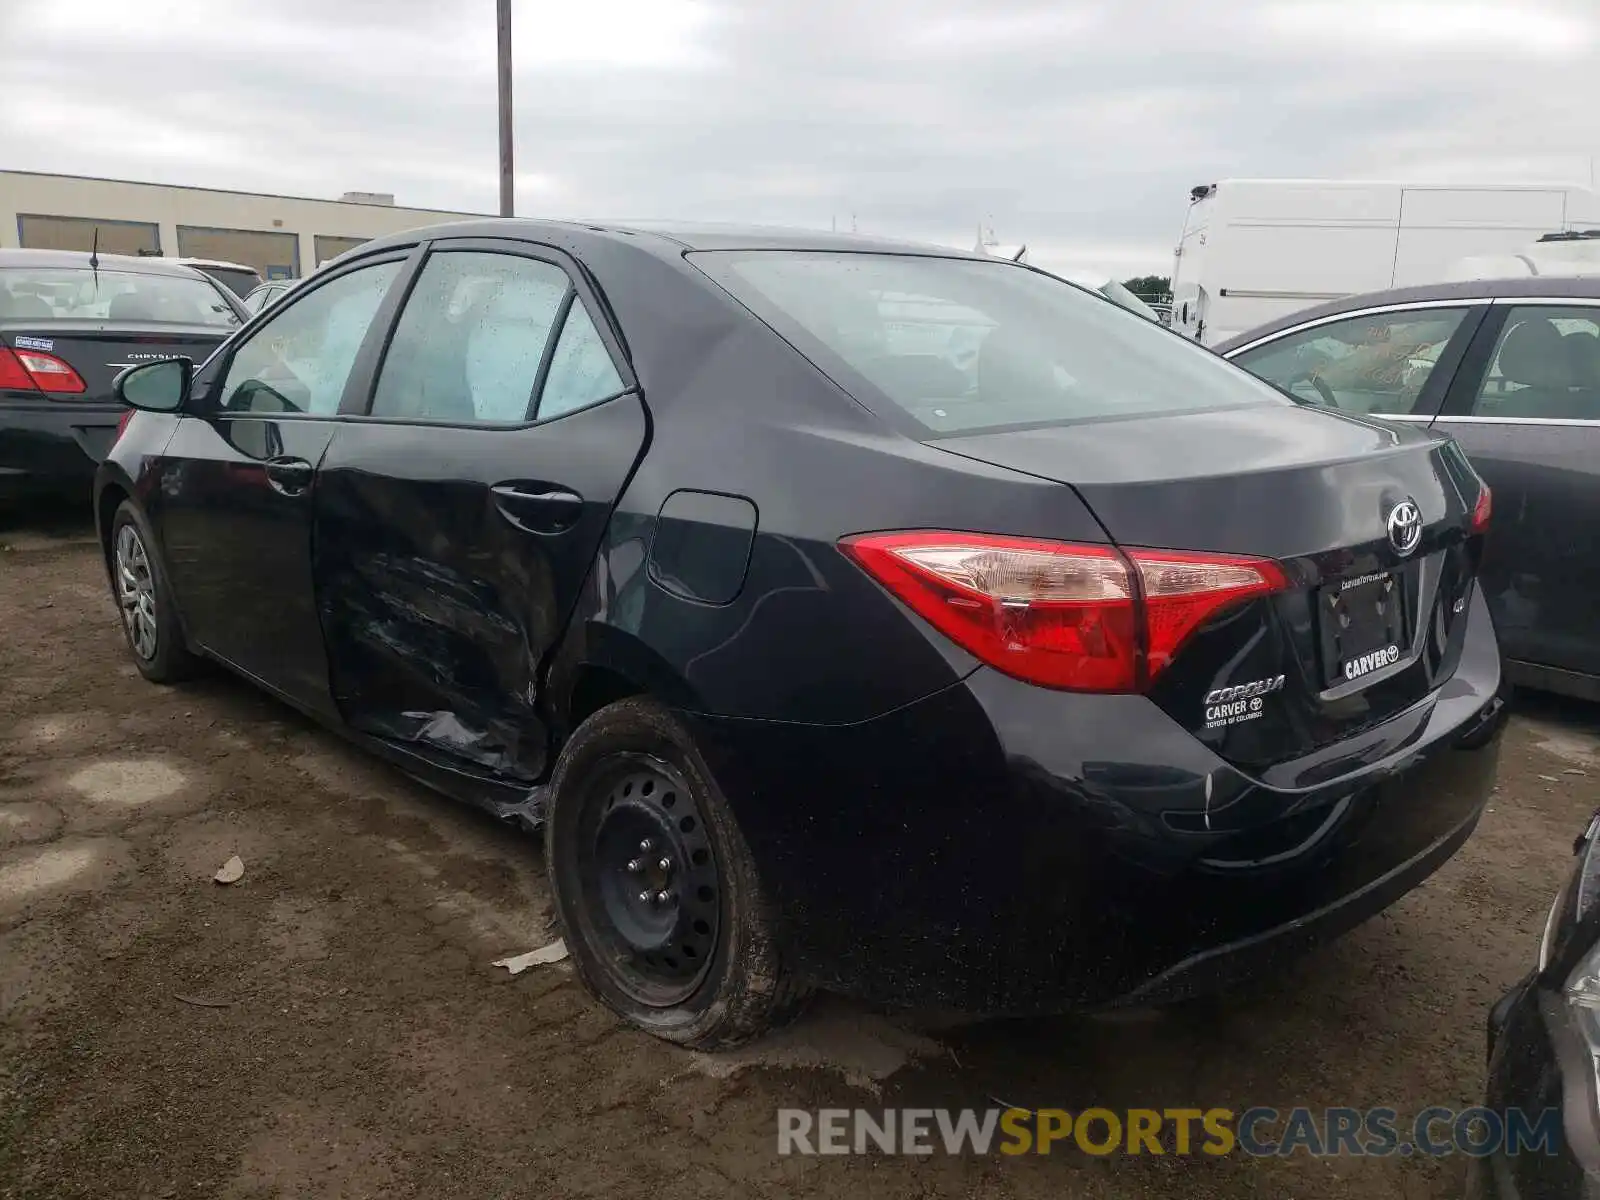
279 236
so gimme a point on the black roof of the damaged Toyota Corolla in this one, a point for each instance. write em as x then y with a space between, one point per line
666 236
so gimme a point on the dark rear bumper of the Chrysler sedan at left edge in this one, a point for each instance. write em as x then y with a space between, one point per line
54 446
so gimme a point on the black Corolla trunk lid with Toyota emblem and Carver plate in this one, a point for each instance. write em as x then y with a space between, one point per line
1366 630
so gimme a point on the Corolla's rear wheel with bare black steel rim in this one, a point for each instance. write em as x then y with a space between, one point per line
634 812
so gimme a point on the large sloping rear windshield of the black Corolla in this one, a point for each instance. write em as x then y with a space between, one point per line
966 345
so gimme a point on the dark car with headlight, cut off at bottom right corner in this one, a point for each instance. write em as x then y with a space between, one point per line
1545 1050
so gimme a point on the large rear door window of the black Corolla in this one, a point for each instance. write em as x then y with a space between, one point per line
471 338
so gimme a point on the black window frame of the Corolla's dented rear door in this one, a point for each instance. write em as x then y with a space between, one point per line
580 289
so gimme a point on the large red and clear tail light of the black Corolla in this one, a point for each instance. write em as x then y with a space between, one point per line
1082 618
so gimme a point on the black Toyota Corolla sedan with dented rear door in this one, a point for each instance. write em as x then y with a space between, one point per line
852 615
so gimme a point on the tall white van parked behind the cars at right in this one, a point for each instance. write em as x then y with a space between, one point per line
1254 250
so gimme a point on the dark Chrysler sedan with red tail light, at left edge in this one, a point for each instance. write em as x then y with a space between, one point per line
68 326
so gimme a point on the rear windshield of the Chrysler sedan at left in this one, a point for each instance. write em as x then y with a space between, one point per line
42 295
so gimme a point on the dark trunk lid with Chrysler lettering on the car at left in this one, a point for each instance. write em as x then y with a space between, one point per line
100 351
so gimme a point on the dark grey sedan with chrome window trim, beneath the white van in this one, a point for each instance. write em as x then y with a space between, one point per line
1511 369
